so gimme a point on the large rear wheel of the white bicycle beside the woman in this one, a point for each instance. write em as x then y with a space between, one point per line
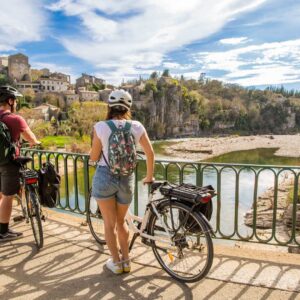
191 256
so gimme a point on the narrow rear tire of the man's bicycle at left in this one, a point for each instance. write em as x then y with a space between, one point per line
34 214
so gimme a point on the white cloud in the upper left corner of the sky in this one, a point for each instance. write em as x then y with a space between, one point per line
20 21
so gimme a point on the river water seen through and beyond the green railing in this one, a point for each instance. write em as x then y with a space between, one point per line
227 192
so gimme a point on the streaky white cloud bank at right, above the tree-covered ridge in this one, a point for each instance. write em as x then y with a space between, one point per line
268 63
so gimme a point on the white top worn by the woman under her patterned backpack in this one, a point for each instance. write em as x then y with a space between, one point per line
103 132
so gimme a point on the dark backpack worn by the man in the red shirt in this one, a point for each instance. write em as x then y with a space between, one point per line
7 147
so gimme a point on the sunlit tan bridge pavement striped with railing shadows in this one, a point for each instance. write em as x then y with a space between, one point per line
72 266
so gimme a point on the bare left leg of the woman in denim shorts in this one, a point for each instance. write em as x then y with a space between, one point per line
109 214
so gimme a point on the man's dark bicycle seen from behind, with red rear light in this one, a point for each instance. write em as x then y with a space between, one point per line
31 210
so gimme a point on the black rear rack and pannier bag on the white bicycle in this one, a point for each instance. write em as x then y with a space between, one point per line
191 195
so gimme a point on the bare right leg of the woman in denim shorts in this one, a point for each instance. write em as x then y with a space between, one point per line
122 230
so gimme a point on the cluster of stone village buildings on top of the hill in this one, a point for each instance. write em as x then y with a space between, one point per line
40 83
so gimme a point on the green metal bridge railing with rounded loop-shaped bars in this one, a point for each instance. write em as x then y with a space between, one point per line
240 188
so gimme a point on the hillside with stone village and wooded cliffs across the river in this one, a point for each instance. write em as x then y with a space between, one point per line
169 107
